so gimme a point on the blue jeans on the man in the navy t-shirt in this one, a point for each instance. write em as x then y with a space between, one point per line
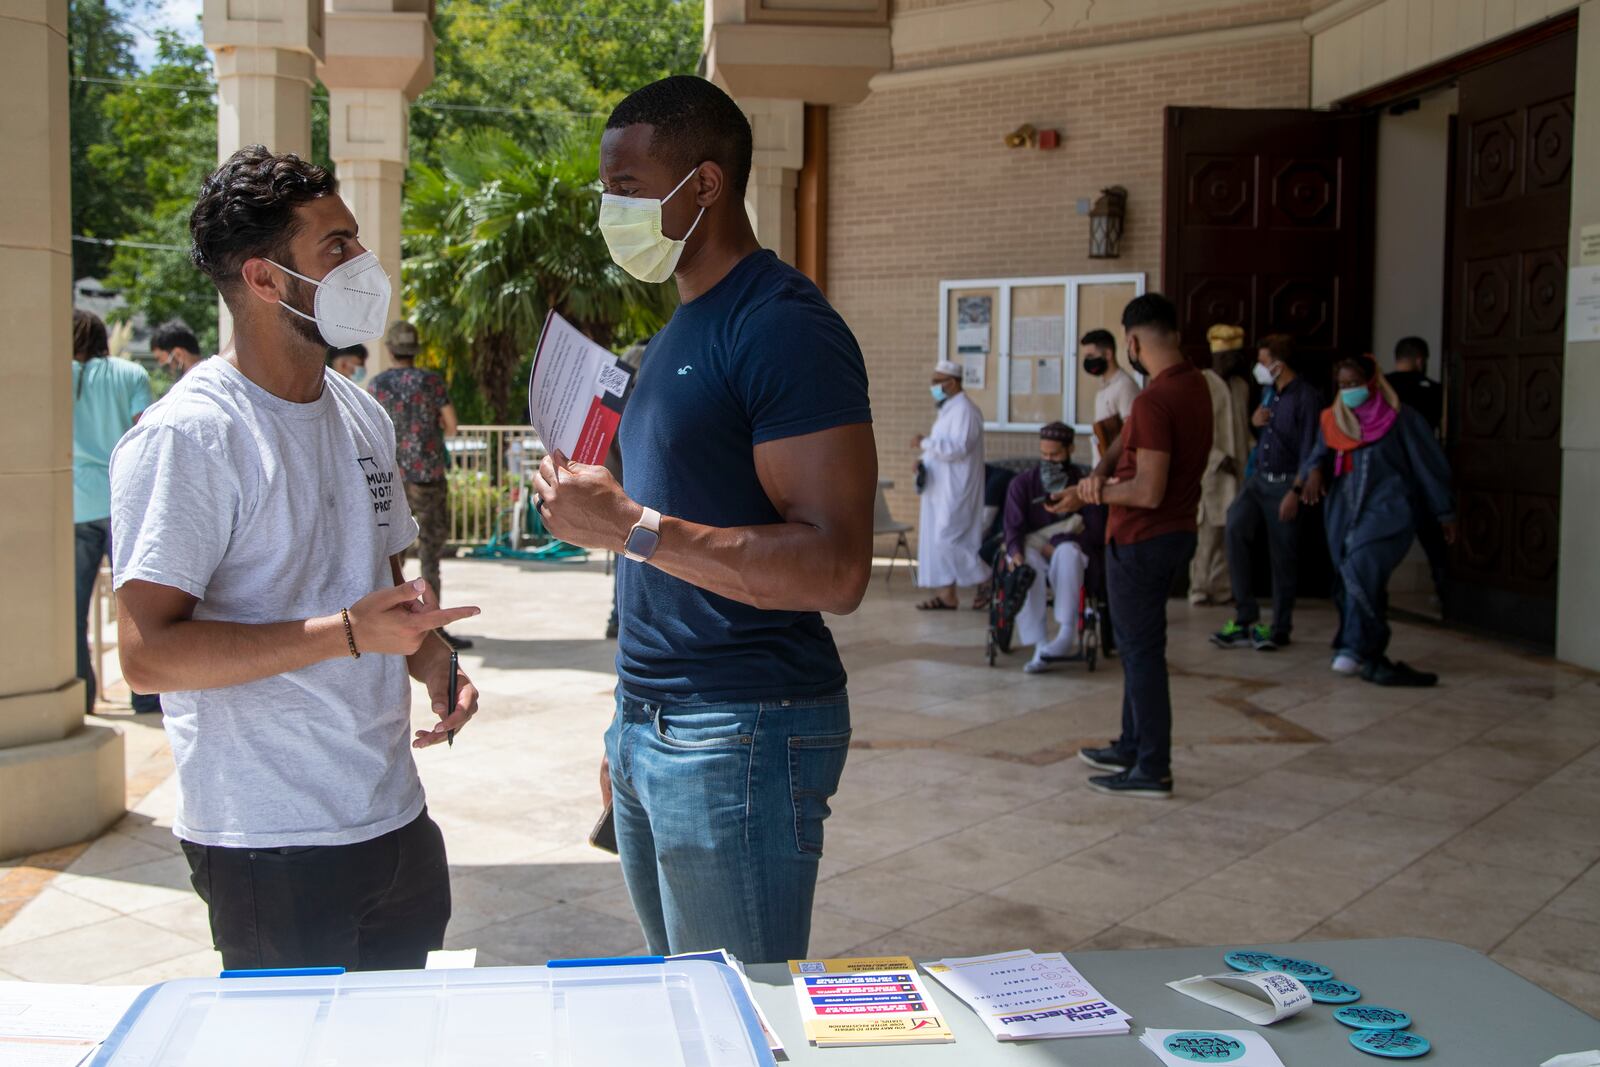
719 820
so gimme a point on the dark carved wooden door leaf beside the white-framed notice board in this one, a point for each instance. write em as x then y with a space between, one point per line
1270 226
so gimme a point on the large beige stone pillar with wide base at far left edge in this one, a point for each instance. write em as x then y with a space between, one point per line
62 781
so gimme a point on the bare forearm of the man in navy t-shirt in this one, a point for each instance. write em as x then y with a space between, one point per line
783 567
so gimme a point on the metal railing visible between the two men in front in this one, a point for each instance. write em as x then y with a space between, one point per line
490 471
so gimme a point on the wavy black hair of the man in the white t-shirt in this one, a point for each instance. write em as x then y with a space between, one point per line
247 210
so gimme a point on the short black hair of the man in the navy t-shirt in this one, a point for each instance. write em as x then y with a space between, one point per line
694 122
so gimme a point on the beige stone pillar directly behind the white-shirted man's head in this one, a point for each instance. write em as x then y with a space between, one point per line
266 60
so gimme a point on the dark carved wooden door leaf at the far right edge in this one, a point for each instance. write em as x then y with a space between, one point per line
1508 298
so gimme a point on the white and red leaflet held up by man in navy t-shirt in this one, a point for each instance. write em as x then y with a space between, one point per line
575 393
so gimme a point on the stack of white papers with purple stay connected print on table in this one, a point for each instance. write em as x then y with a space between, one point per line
1025 996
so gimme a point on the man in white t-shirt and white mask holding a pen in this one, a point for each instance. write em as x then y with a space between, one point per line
258 532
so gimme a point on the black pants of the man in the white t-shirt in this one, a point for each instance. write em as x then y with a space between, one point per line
374 906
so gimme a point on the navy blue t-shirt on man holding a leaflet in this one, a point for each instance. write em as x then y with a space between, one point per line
759 358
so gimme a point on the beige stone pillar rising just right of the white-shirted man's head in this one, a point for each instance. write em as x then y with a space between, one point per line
380 57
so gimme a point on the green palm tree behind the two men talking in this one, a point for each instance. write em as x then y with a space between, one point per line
502 234
